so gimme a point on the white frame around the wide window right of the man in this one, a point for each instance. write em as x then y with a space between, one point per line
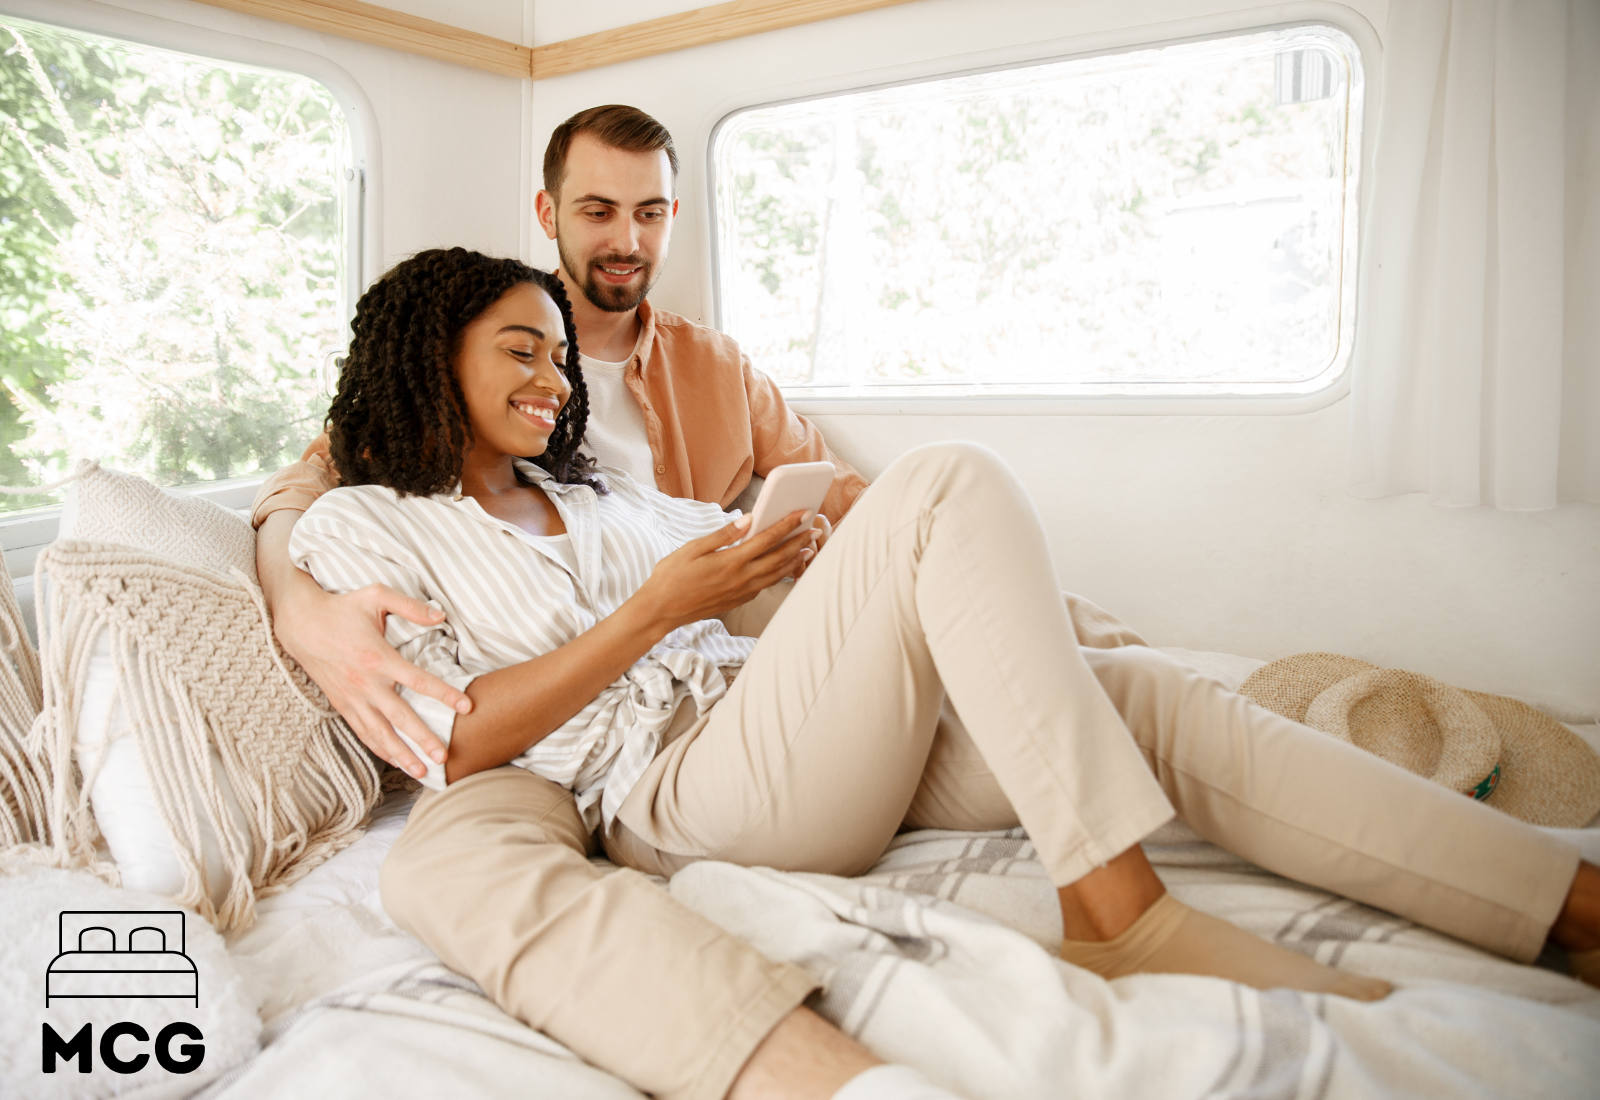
1314 14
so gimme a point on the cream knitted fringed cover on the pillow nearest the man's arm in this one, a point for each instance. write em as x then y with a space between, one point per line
198 672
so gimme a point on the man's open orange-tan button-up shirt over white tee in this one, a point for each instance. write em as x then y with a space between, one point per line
713 421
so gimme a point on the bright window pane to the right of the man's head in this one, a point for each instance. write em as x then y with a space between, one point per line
1175 220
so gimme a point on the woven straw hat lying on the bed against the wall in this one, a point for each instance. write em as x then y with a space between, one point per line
1490 747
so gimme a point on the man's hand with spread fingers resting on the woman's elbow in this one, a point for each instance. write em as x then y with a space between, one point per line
340 644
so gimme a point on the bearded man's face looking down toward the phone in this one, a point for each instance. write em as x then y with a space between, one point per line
612 221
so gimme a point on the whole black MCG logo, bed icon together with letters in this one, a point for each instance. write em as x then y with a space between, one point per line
119 955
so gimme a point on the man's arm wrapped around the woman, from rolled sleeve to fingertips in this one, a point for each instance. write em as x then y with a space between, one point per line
340 640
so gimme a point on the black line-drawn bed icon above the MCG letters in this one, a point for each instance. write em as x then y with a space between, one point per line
122 954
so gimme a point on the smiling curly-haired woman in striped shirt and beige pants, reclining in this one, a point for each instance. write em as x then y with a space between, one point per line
580 615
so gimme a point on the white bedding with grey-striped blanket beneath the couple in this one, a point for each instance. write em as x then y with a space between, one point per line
940 957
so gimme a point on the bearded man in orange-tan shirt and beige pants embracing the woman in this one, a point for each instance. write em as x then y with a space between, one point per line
494 874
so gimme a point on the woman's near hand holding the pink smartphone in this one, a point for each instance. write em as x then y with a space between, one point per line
706 576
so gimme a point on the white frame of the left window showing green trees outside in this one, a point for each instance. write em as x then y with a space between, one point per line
23 536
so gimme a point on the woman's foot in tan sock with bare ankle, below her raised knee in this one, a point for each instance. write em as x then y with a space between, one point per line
1111 935
